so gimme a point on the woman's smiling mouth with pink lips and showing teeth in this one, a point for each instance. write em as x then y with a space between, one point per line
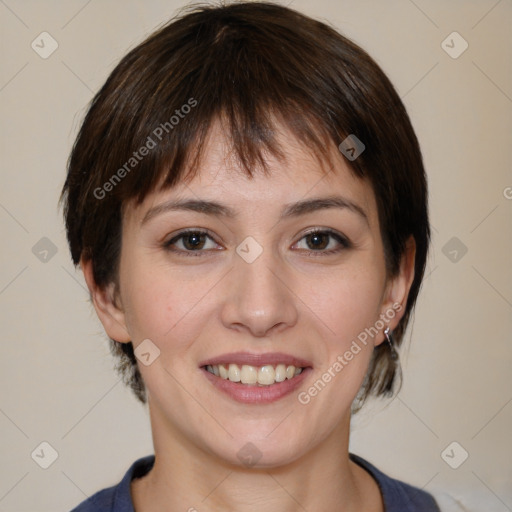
256 378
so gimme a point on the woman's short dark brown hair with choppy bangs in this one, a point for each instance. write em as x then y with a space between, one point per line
251 65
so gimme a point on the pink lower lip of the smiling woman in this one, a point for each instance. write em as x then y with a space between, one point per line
254 394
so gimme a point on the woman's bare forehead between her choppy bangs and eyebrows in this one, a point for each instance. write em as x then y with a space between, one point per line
297 175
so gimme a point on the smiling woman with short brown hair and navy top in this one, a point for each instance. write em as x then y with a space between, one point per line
247 201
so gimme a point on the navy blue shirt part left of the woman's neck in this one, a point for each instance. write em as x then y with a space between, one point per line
117 498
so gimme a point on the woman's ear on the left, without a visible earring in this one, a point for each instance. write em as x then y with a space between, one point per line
104 300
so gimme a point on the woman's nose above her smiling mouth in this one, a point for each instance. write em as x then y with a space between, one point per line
259 299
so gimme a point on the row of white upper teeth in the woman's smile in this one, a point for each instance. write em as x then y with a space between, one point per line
246 374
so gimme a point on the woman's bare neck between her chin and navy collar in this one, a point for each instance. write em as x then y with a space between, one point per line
187 478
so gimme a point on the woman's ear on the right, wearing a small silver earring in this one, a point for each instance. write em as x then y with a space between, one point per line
397 289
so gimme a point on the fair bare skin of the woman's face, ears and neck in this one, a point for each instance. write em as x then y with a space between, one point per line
295 298
